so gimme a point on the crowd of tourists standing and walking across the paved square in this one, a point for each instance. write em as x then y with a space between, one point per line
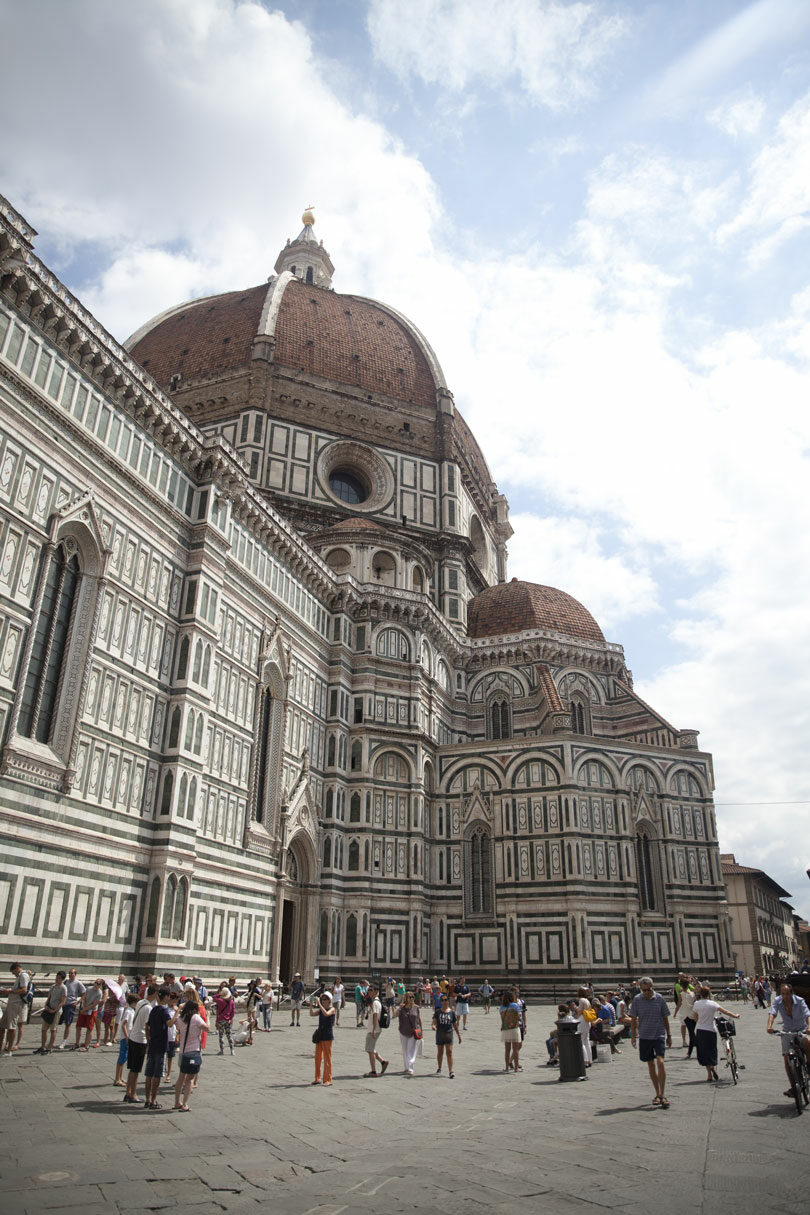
156 1022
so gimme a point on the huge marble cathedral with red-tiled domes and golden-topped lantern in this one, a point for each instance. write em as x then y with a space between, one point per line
269 698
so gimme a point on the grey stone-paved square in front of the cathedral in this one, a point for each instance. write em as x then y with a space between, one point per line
486 1141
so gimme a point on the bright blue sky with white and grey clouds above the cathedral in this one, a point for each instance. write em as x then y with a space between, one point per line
598 213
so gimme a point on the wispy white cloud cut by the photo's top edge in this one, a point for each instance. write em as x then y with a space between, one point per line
552 52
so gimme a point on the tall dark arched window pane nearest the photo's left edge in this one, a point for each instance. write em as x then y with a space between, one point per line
50 646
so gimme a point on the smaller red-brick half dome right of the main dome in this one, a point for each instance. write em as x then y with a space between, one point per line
517 607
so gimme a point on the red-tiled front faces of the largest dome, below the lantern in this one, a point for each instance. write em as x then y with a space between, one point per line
341 338
